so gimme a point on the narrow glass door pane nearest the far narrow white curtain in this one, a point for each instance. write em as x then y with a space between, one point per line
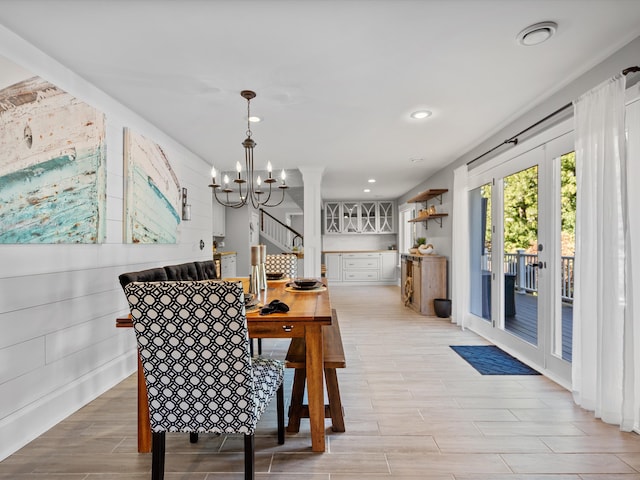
480 254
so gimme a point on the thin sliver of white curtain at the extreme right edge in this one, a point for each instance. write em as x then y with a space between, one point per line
631 388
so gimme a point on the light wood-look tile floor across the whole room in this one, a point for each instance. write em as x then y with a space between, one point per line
414 410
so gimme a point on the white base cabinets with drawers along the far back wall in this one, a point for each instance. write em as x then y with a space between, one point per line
355 268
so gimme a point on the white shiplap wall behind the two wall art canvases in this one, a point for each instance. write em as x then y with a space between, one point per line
59 347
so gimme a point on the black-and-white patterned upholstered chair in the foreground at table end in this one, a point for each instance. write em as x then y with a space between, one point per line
193 342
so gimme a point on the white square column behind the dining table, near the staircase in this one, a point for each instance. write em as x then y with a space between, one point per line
312 180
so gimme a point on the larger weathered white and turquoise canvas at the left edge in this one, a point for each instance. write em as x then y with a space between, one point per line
52 166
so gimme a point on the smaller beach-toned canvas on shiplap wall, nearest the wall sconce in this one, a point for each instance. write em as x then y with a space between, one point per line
152 192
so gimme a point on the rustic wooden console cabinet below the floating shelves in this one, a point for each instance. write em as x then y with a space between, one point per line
428 279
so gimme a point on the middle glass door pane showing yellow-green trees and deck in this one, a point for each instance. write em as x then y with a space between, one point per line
520 257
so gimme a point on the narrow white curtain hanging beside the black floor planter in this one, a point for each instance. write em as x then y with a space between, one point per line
460 248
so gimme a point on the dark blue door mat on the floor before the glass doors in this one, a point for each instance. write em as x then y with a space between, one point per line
490 360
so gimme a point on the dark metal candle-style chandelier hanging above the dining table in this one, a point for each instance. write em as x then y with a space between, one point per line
252 191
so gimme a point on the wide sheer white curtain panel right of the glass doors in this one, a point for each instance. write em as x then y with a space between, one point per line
602 368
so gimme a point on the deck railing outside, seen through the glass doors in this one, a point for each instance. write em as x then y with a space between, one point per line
525 268
